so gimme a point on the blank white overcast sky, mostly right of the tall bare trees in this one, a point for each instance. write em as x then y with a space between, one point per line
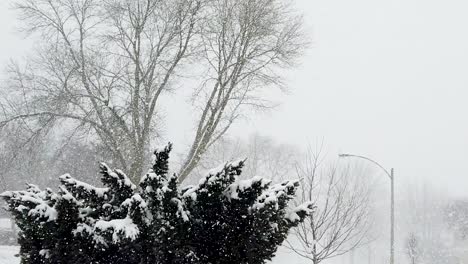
385 79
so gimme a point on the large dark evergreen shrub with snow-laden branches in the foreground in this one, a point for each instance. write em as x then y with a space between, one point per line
220 220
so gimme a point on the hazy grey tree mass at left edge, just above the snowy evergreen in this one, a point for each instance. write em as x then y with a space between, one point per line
25 158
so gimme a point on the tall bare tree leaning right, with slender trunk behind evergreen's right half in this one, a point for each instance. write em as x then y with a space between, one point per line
244 43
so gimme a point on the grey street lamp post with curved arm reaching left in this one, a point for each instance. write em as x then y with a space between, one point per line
392 201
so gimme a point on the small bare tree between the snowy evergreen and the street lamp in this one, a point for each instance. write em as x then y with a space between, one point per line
340 222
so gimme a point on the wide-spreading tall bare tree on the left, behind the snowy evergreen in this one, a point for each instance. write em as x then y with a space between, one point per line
102 67
